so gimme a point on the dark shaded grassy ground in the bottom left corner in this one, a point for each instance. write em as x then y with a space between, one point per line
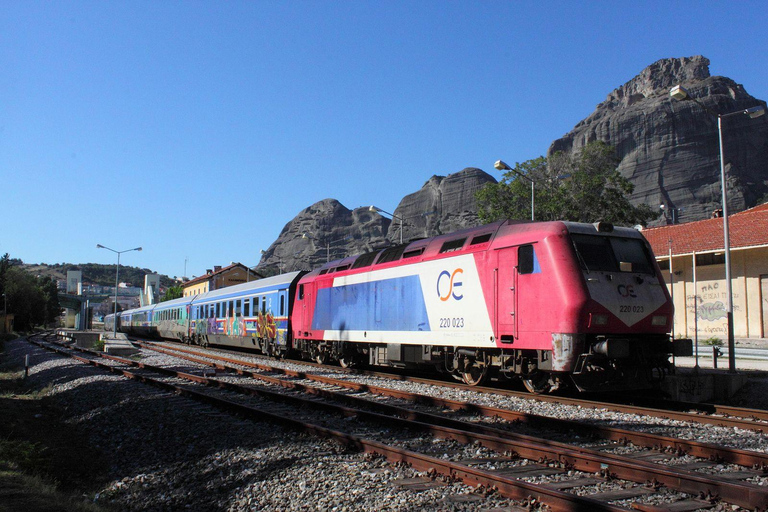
45 464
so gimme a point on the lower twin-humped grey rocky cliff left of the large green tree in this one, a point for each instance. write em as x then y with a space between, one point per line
328 230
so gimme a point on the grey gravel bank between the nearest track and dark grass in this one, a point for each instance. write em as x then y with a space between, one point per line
169 453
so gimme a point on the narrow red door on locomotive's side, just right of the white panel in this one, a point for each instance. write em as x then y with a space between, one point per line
506 294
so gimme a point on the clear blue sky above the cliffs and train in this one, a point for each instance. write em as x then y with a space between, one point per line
199 129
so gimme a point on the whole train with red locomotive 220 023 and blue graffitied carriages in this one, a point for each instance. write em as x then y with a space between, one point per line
553 304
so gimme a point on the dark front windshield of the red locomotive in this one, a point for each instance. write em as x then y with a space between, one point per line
612 254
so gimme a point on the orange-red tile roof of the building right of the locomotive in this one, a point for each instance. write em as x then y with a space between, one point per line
746 229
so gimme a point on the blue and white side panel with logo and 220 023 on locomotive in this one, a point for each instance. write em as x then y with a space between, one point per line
438 302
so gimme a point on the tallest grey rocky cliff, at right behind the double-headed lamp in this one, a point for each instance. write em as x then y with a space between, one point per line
669 149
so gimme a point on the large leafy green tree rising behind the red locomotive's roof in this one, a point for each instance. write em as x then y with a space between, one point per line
585 187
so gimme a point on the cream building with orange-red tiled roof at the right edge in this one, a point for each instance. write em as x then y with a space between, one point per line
699 290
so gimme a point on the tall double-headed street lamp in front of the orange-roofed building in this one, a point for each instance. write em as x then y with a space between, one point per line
678 92
